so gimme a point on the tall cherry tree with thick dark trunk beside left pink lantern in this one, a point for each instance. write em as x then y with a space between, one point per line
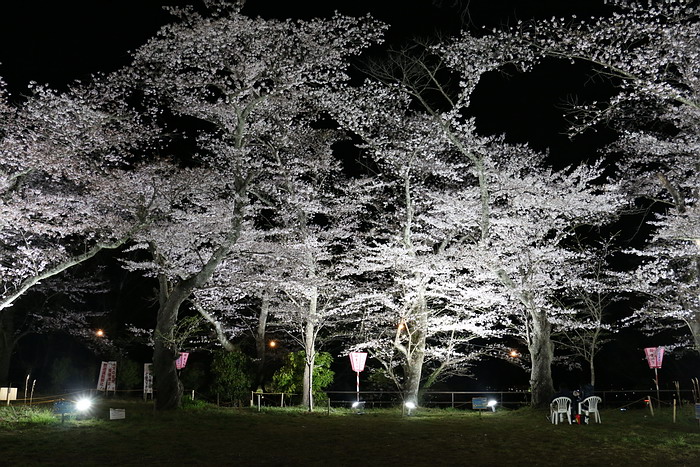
247 80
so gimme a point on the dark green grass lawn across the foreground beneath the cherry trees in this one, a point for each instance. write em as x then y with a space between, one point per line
290 437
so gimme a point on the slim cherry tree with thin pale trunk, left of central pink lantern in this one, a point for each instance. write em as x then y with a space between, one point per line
318 217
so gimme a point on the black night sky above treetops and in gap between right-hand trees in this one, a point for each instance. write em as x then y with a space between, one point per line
61 41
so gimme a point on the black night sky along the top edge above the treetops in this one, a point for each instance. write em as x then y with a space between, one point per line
61 41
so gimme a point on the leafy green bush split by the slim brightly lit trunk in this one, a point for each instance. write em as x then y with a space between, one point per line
289 378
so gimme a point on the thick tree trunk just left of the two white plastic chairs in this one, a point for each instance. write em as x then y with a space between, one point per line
541 353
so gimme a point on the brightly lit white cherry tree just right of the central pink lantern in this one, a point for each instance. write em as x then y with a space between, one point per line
417 313
